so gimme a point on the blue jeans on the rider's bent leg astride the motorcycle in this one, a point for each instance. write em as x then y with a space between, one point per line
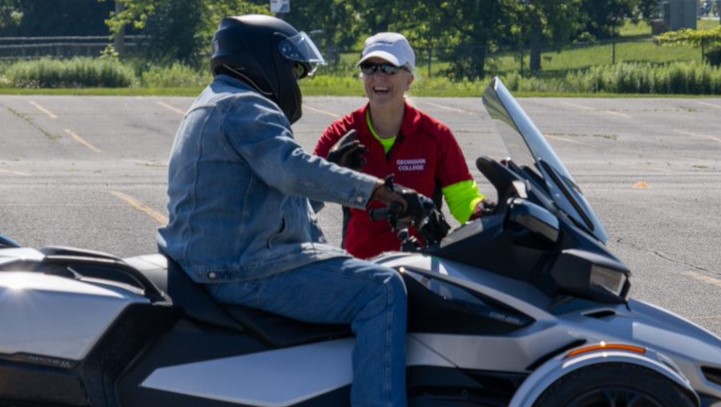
370 297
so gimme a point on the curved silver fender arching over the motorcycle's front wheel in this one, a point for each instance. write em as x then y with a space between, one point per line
552 370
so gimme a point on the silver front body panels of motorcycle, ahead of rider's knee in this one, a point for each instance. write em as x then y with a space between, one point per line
666 336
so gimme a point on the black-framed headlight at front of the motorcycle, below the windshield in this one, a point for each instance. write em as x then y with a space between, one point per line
591 275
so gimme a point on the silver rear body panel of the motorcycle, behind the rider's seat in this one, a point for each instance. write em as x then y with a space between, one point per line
53 320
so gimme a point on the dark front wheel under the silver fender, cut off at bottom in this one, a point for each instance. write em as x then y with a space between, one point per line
614 385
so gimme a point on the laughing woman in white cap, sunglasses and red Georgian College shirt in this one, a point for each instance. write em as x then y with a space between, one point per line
394 138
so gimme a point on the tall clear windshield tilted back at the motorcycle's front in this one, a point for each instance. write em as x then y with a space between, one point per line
529 149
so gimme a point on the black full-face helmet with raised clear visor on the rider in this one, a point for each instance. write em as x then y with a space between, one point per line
268 54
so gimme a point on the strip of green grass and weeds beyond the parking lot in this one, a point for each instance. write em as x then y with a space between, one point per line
581 64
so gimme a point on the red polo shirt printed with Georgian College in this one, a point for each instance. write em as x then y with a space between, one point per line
425 157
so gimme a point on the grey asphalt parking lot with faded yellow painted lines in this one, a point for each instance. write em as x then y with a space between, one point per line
91 172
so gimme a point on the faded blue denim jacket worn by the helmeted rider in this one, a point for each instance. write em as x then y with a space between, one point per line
239 187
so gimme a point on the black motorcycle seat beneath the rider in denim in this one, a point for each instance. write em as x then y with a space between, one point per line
274 330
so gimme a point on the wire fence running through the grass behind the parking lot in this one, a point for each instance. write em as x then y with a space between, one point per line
430 61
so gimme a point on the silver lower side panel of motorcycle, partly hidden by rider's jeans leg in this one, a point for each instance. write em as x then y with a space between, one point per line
306 371
